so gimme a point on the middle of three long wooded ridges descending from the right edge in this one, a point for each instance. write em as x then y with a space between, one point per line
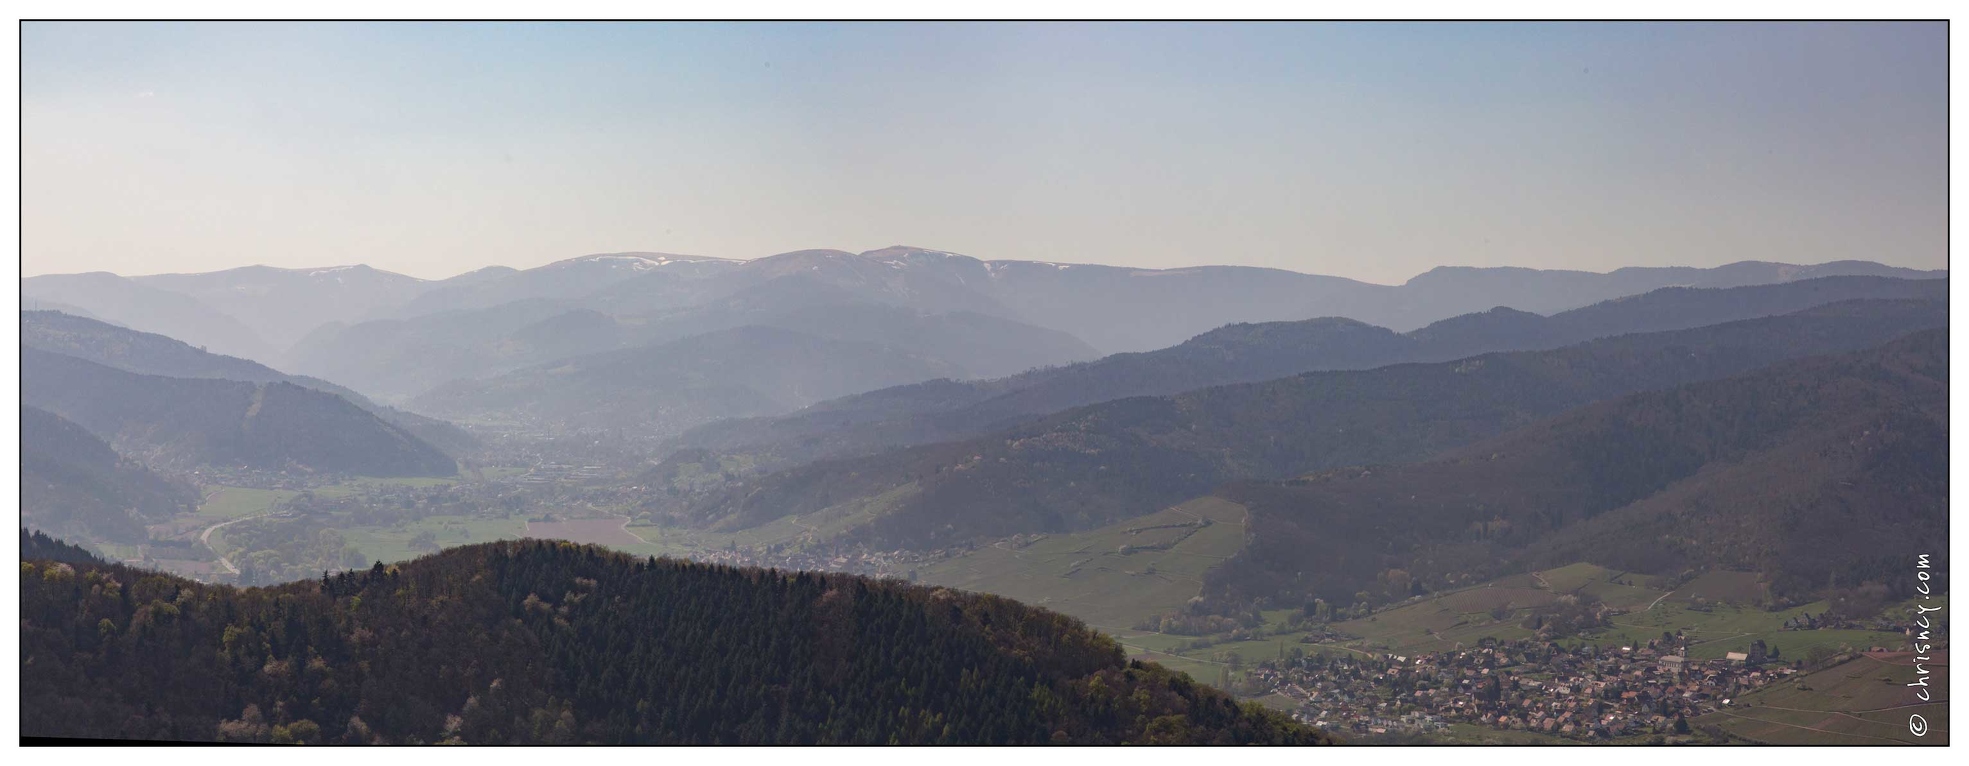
1129 458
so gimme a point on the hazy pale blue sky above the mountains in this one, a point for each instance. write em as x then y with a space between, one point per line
1367 151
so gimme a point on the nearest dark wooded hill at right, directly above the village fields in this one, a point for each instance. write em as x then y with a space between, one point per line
1816 474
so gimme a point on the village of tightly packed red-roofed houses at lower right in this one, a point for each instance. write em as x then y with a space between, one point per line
1519 686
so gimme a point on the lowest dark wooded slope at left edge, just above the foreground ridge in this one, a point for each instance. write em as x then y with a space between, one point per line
72 483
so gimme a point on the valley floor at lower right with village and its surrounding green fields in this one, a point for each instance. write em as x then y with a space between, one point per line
1696 665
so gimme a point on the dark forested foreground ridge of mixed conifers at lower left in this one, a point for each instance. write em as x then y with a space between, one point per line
556 643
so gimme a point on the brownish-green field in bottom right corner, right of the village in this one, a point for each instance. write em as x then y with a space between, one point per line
1860 702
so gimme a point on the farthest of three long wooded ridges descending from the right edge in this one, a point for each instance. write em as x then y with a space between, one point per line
944 411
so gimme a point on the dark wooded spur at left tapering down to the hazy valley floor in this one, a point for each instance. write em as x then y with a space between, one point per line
186 422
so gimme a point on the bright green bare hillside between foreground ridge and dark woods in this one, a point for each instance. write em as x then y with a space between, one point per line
1115 576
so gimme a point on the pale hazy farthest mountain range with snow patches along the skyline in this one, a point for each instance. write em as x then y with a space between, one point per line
312 320
